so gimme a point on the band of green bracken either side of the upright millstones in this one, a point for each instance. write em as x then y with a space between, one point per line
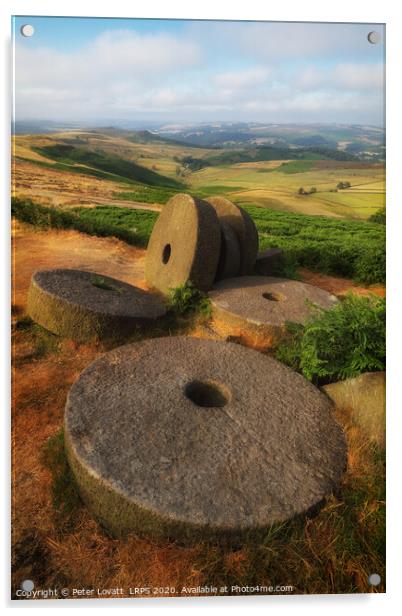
339 247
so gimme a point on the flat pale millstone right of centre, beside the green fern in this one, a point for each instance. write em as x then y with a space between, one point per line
261 305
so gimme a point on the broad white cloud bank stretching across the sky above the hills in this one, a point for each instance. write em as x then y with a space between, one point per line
121 74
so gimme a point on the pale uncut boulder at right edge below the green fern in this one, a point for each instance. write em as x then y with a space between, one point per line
364 398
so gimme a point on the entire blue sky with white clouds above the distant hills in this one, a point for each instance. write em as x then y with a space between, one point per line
182 71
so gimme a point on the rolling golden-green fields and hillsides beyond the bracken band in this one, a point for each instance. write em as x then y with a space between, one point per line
86 168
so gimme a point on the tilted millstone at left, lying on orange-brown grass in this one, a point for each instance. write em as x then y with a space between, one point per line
84 305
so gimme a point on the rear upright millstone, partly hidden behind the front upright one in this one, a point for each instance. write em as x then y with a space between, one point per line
244 227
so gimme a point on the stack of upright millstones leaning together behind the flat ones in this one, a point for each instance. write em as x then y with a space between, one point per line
200 241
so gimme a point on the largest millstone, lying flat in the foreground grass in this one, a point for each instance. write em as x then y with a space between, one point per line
185 438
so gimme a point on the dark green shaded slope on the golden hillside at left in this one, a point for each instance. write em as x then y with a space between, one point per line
109 163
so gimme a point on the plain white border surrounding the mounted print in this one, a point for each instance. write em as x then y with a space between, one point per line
287 10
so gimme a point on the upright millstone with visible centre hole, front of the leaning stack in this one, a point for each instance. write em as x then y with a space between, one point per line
184 245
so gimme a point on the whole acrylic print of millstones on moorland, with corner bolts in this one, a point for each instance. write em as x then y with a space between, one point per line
198 308
